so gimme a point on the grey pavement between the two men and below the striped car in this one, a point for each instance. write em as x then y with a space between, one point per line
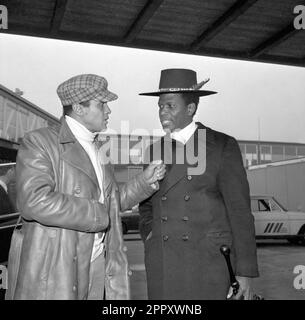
276 259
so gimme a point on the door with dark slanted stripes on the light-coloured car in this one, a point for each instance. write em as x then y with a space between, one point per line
270 219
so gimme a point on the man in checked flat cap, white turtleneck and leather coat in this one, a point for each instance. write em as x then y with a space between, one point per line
69 202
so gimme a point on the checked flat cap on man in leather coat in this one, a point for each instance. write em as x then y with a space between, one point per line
83 88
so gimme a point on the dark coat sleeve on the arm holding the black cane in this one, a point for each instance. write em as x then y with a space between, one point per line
234 188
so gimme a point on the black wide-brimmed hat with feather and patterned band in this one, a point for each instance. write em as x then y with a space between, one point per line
179 81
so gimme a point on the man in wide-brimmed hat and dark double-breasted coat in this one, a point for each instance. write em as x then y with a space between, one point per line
199 206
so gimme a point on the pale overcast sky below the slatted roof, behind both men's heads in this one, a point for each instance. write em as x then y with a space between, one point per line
249 93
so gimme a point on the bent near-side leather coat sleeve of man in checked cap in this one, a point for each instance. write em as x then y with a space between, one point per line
37 198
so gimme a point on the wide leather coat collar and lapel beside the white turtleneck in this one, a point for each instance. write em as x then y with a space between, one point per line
74 154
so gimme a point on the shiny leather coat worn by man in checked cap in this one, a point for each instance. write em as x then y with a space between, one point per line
57 196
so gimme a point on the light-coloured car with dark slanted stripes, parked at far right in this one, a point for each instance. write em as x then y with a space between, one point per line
273 221
